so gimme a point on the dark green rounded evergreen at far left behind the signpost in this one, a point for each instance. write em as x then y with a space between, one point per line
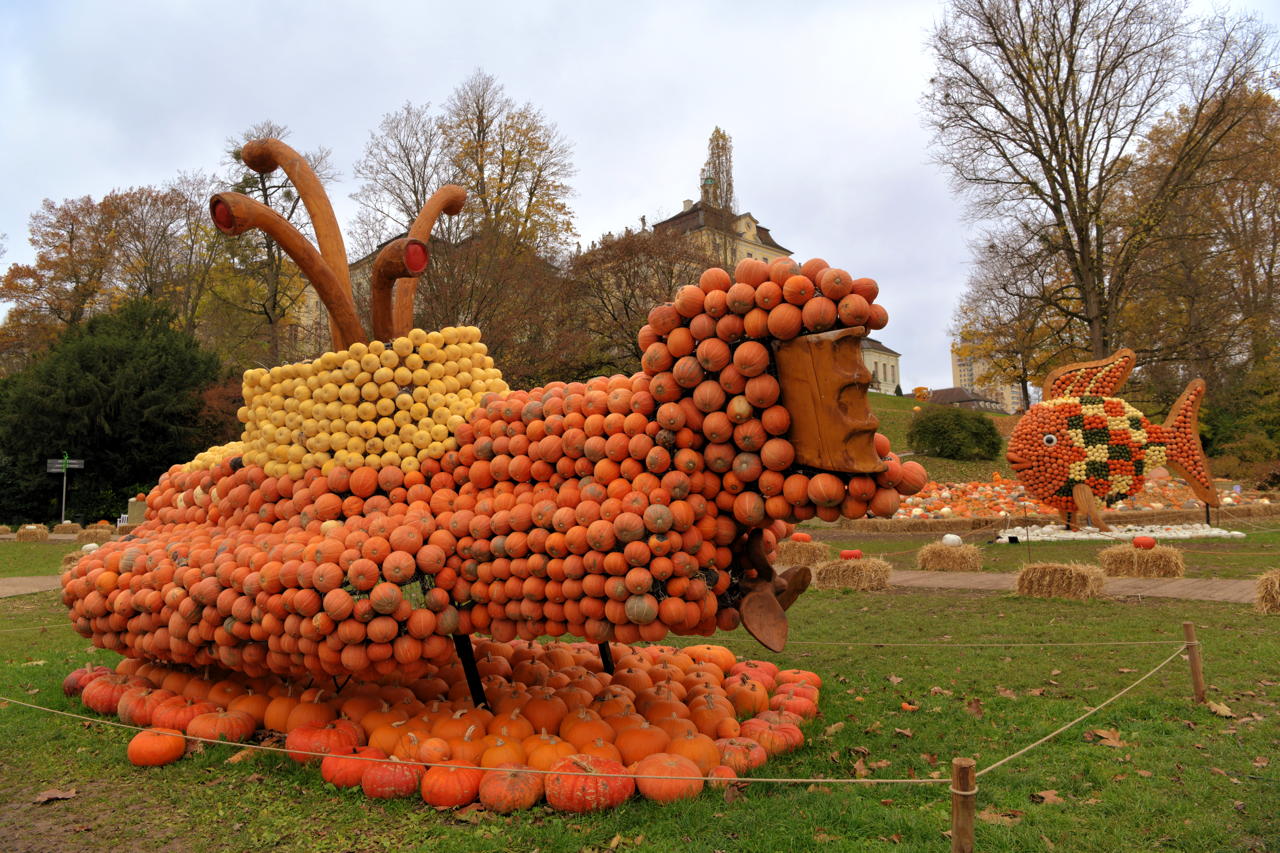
121 391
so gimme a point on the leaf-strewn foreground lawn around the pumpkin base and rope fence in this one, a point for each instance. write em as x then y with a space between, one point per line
1180 779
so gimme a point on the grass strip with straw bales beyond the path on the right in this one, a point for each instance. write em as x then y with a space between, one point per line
1249 558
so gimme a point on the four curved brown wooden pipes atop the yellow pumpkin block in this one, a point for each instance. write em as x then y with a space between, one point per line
396 270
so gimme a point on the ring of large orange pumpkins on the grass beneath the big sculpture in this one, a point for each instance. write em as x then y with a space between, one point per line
666 723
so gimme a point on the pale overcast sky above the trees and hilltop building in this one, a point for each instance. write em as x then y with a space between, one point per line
822 102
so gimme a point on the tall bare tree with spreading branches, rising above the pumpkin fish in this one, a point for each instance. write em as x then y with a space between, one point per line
1040 110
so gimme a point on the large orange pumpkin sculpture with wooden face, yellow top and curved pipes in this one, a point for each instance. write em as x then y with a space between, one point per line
395 494
